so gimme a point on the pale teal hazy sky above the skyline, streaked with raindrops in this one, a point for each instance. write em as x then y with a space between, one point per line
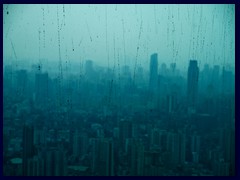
124 34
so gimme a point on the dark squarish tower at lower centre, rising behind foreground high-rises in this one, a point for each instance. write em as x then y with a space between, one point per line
125 131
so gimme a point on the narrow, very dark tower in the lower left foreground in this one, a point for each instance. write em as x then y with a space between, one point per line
28 147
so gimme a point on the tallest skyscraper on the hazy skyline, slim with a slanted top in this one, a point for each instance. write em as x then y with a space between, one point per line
153 79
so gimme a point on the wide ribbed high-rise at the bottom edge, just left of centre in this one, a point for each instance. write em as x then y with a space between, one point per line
102 157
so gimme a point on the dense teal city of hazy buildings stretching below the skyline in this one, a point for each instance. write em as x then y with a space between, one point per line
117 122
